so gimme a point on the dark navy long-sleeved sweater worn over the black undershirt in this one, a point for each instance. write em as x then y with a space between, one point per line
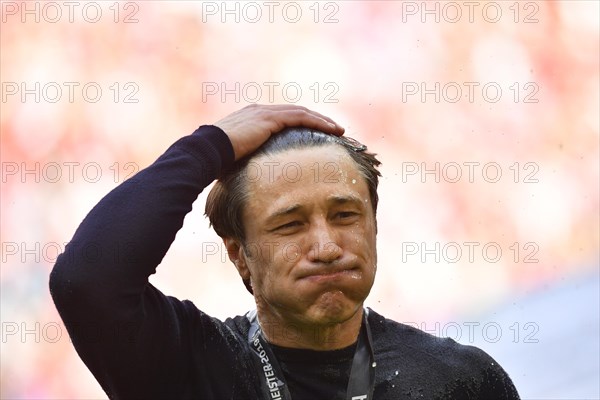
142 344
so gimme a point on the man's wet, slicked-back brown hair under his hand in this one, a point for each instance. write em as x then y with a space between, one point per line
229 195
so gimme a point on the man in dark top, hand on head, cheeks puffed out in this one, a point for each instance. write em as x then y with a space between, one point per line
296 210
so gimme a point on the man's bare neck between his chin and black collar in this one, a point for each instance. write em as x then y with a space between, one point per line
294 333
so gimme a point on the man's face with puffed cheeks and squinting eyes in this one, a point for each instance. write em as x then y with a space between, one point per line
310 235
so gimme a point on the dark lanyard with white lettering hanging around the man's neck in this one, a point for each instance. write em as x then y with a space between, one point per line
362 374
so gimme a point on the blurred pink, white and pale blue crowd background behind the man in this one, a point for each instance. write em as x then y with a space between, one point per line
484 114
